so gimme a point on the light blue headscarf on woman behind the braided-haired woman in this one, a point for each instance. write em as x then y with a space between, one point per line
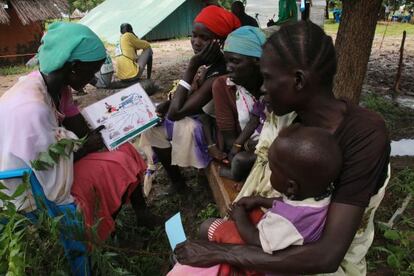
247 41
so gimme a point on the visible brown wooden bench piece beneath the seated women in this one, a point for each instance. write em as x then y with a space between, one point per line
224 190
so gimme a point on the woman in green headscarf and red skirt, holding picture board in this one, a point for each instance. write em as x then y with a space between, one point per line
38 111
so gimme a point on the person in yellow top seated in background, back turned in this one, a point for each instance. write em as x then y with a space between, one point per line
129 66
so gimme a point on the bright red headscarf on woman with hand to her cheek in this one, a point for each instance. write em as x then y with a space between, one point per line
218 20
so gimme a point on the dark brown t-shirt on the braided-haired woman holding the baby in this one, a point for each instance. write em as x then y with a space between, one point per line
364 141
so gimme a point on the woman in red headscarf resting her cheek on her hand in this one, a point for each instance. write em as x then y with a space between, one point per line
180 141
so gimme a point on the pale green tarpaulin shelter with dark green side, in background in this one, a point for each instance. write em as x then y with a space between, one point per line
150 19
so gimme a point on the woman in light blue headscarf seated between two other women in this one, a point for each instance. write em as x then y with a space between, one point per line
239 110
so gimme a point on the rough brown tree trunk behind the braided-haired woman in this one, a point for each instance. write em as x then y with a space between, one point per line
353 44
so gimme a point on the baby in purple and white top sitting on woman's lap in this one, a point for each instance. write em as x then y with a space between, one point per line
304 162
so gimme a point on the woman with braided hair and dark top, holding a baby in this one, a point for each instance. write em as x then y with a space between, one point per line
298 66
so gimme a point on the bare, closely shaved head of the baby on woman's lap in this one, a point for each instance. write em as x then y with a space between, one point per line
304 161
